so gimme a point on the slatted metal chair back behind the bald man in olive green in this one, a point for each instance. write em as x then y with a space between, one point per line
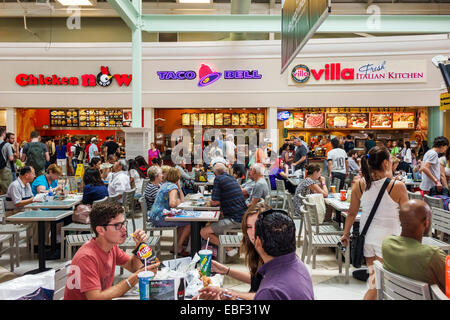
391 286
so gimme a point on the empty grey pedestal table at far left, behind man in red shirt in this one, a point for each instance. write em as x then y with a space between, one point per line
40 216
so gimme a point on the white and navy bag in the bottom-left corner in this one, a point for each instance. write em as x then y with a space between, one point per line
39 286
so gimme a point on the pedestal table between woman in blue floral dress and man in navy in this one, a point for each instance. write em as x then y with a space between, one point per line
195 219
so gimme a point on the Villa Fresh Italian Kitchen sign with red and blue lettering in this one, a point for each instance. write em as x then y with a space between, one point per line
357 72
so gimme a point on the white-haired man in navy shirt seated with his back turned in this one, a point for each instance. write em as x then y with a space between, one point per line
228 195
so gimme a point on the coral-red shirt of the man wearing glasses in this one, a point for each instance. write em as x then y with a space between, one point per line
92 269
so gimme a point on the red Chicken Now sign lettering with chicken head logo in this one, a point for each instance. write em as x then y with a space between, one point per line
103 79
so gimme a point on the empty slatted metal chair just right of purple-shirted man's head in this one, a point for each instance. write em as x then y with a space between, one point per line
312 242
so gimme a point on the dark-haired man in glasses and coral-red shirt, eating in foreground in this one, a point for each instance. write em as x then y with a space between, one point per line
91 274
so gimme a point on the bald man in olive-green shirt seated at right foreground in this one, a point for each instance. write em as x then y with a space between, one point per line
406 255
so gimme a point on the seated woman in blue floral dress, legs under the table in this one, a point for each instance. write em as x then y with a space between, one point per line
169 196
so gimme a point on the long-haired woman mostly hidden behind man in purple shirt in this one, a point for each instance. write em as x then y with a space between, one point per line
251 259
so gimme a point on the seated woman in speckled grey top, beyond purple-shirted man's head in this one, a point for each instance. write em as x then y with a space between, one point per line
313 183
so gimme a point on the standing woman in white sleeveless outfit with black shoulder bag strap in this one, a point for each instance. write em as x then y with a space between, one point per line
376 167
